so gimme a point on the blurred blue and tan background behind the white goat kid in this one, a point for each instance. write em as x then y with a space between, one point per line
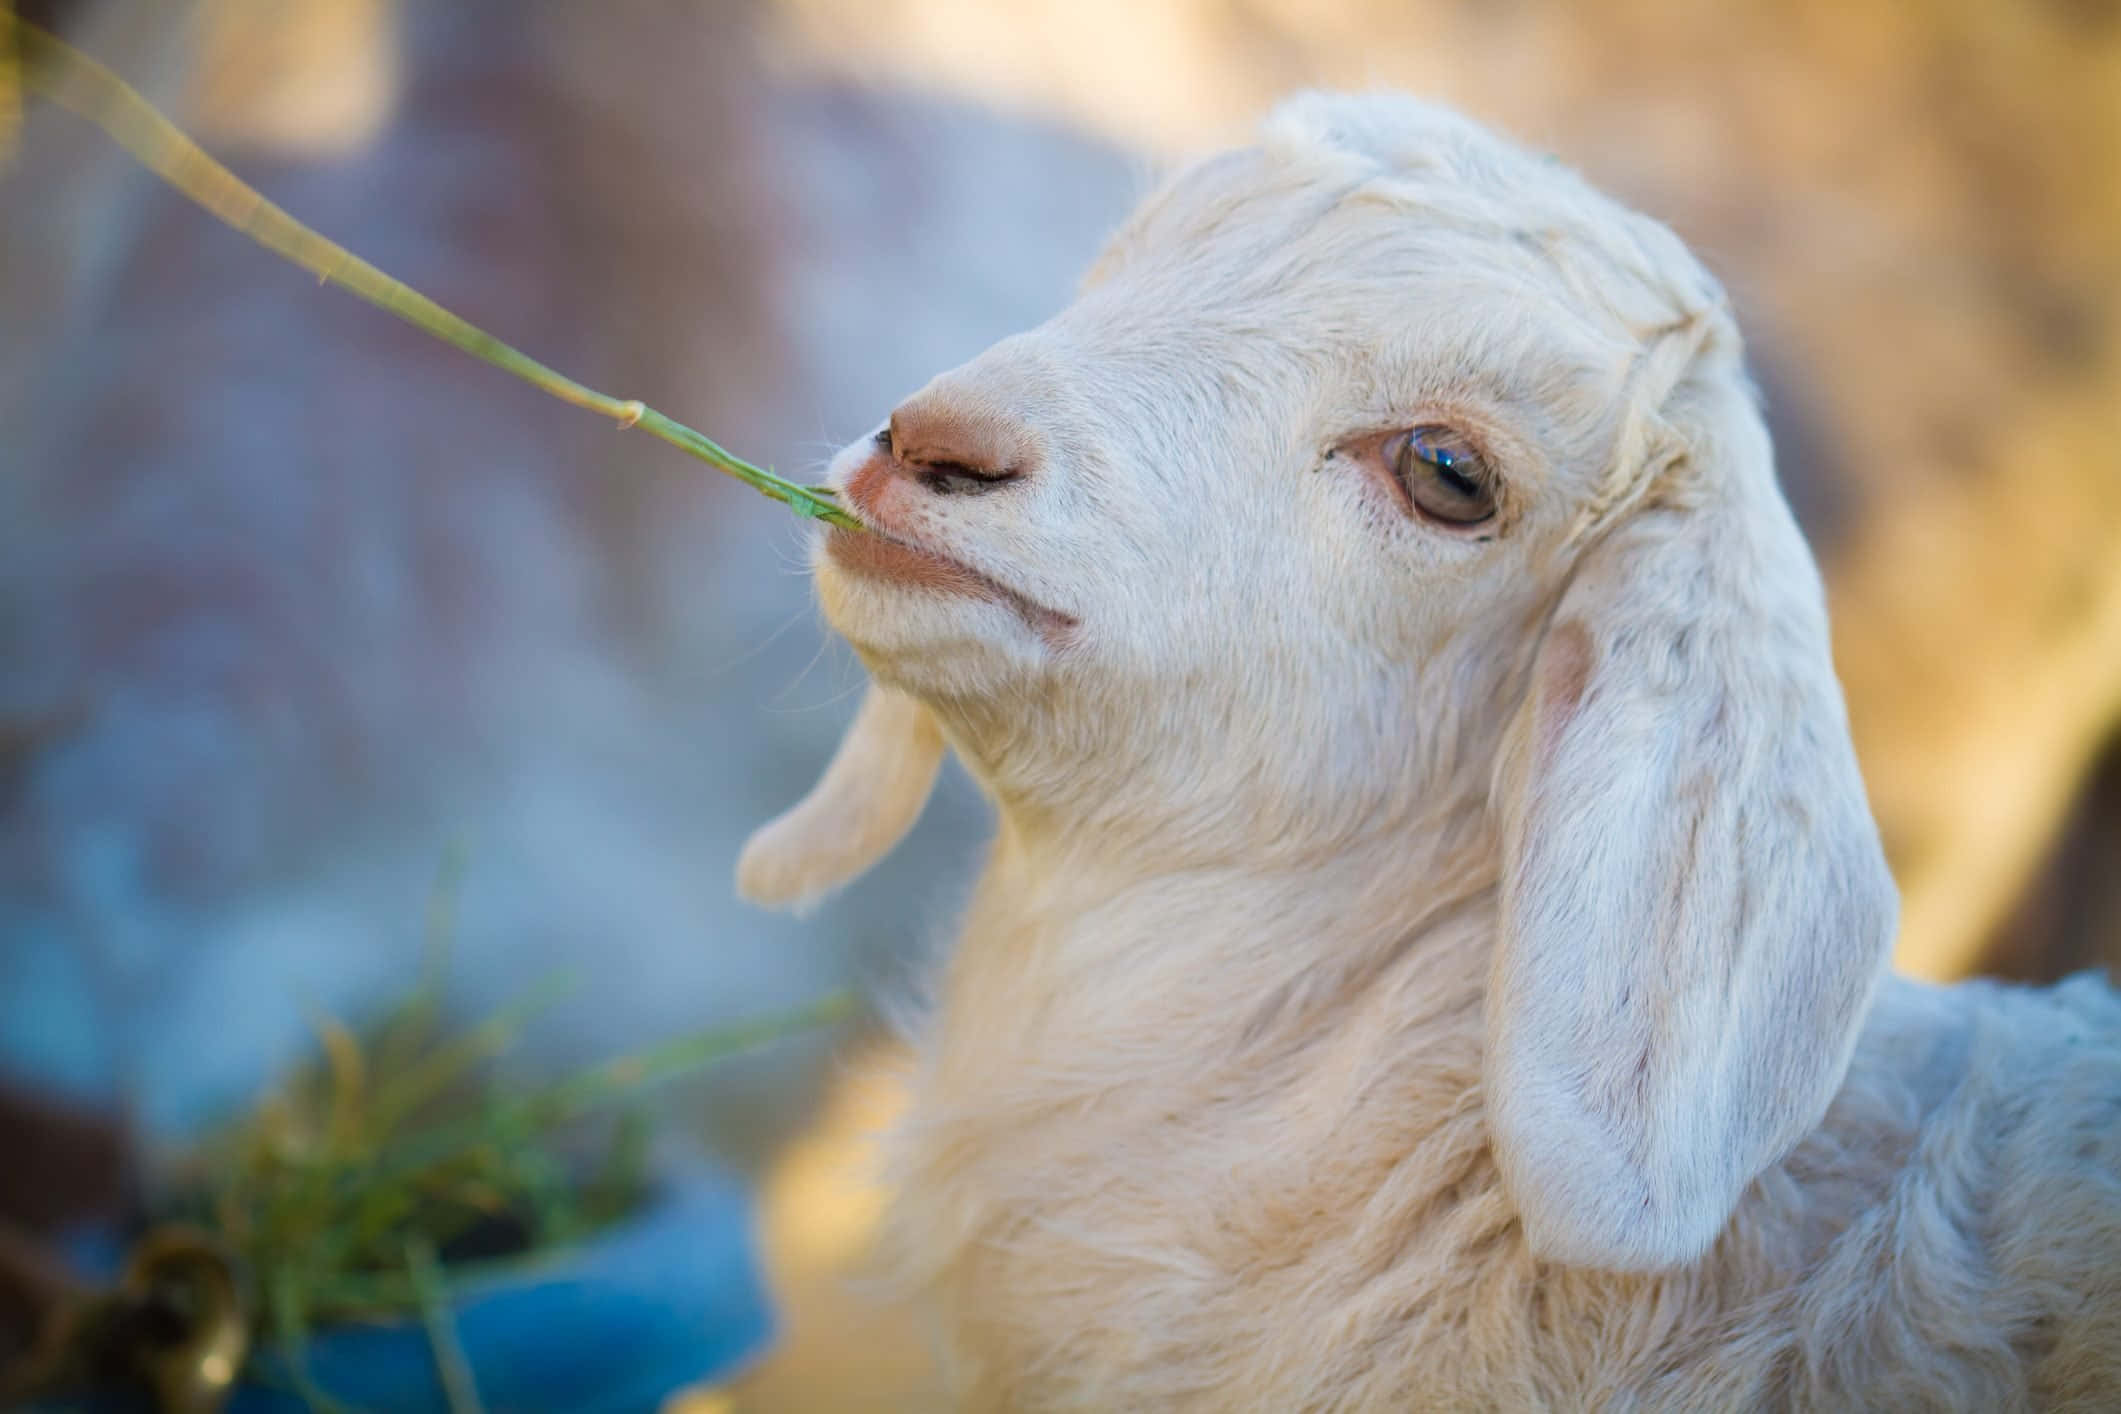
296 601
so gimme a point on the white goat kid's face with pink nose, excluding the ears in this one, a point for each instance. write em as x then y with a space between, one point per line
1265 523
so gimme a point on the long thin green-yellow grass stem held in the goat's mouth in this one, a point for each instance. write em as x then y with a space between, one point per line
92 92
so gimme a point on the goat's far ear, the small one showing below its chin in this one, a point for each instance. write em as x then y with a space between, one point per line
864 805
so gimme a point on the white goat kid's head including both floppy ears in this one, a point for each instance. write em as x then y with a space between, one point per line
1373 465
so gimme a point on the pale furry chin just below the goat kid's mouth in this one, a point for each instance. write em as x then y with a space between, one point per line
932 646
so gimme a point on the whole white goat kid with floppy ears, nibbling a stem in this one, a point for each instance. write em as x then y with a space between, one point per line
1433 949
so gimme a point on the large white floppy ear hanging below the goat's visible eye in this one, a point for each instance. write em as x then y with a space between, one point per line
1696 906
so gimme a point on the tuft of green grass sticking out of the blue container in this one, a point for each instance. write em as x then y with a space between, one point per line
396 1161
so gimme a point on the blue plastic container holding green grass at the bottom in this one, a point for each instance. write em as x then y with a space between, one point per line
669 1298
